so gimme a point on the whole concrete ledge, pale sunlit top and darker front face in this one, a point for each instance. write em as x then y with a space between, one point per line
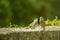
50 33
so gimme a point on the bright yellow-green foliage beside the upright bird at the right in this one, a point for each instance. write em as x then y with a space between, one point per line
54 22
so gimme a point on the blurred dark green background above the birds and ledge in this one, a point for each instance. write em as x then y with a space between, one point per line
23 12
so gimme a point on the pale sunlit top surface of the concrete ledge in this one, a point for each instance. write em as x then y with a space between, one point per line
10 30
